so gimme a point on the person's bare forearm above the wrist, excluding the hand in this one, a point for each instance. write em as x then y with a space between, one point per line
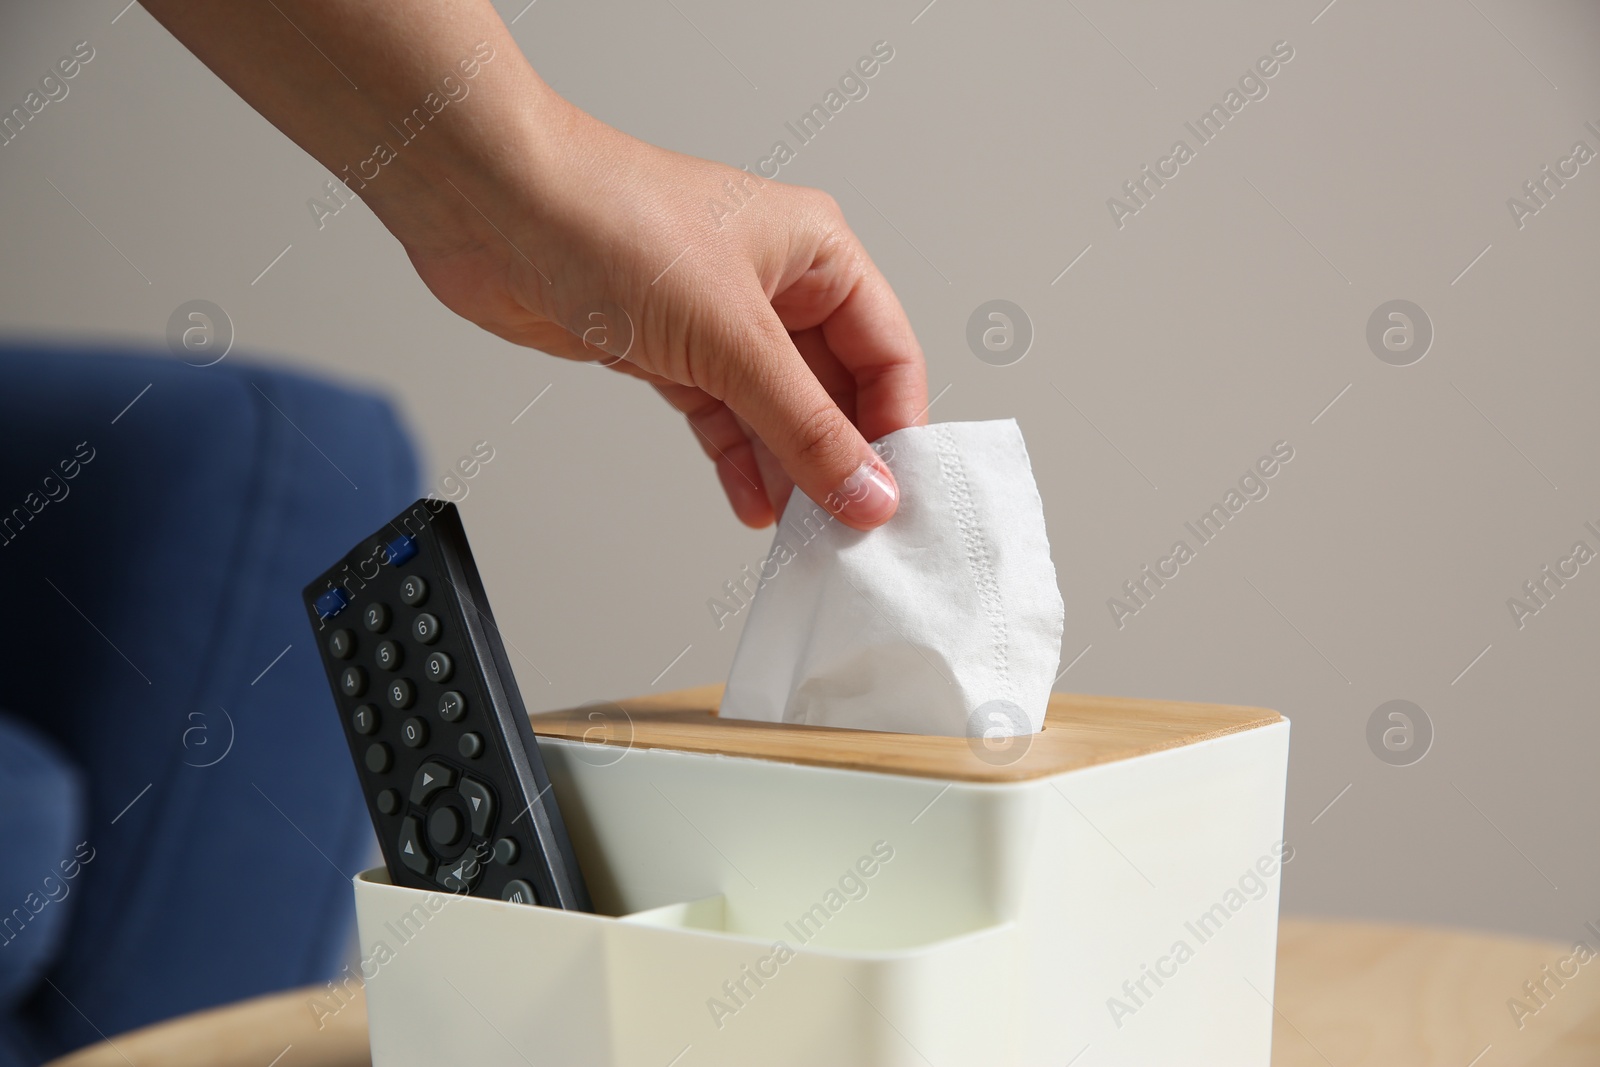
423 108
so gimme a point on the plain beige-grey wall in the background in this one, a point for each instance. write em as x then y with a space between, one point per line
1220 319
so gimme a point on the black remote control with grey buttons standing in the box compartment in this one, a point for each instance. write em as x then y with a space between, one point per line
438 729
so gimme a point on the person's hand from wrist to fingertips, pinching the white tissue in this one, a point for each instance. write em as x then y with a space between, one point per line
746 303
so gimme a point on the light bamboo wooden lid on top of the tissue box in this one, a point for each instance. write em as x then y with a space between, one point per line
1079 732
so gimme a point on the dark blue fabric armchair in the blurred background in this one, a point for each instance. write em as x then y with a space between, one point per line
151 730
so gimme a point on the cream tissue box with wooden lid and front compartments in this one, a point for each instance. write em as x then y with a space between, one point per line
786 895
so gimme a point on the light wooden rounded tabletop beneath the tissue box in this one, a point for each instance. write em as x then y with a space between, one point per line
1348 996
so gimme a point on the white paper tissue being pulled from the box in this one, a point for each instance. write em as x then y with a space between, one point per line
943 621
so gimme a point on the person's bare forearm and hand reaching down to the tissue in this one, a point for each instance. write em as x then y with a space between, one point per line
746 303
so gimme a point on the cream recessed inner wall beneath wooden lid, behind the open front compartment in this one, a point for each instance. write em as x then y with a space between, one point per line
810 855
